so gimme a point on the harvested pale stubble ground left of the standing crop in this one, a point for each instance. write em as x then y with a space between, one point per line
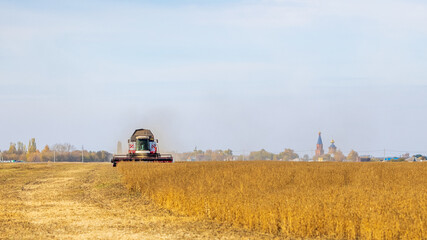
89 201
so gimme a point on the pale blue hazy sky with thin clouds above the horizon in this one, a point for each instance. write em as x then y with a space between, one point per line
244 75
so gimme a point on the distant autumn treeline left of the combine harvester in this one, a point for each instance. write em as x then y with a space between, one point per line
58 152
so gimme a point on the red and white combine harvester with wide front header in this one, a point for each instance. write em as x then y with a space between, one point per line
142 147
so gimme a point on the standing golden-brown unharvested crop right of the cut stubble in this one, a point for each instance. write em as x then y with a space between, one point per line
308 200
